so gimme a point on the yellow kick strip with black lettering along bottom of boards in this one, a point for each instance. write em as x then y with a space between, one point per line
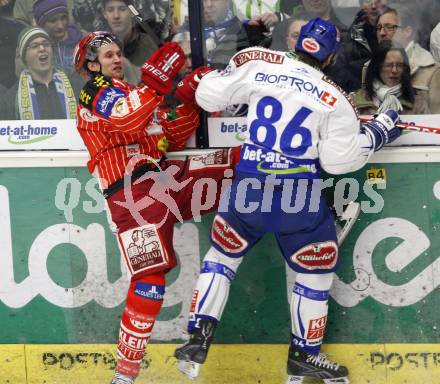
245 364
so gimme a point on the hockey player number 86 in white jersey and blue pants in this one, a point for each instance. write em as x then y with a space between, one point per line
299 123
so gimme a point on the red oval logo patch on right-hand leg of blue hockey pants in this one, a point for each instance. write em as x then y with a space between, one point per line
317 256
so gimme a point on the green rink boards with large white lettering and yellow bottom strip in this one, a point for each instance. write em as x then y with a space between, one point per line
62 283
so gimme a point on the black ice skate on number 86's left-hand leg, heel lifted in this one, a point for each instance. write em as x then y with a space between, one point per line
195 350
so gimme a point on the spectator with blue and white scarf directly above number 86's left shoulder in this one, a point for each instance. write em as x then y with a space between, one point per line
224 32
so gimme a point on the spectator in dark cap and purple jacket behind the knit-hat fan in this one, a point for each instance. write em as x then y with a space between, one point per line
52 16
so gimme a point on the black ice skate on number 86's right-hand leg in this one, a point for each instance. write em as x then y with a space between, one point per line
300 365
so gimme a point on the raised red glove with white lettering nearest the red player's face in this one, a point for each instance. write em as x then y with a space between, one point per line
160 69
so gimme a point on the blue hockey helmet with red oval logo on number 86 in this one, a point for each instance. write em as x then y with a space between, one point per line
319 39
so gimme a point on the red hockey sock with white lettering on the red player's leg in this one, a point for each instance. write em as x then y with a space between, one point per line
144 300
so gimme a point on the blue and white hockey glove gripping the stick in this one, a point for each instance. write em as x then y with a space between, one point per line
382 128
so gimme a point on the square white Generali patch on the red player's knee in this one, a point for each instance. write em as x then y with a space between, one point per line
143 249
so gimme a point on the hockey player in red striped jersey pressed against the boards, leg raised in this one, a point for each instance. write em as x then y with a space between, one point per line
127 135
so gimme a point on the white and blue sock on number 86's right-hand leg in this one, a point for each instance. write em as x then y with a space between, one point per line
308 310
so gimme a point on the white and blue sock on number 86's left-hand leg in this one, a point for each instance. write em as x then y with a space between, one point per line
212 288
